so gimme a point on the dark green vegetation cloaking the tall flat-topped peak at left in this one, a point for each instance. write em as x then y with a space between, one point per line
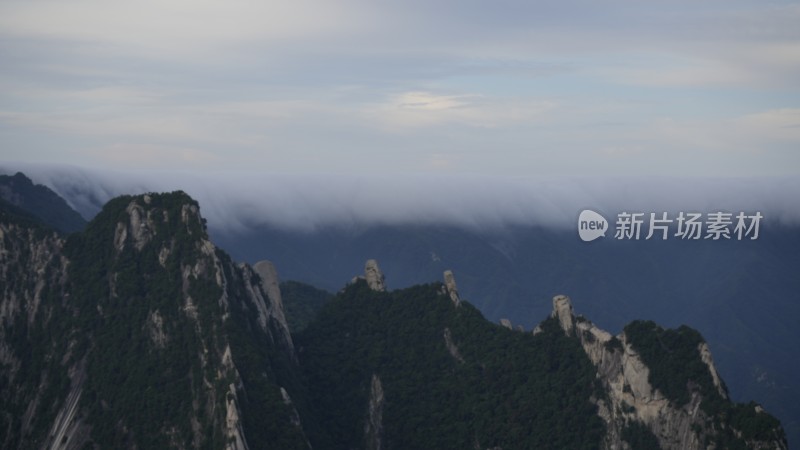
156 395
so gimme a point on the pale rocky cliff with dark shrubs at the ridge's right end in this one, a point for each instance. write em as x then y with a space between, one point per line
693 413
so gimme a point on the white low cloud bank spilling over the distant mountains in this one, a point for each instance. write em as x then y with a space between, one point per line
237 201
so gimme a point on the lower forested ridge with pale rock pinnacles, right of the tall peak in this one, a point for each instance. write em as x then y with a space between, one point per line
619 387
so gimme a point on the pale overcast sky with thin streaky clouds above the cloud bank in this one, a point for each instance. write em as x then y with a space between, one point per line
522 89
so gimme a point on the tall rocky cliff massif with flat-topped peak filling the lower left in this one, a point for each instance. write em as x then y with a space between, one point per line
137 333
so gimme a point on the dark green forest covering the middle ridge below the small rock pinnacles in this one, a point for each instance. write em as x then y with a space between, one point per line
513 389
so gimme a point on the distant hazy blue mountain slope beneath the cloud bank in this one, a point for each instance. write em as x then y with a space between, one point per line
742 295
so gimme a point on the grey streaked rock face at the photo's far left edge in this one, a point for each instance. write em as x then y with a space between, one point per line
33 271
